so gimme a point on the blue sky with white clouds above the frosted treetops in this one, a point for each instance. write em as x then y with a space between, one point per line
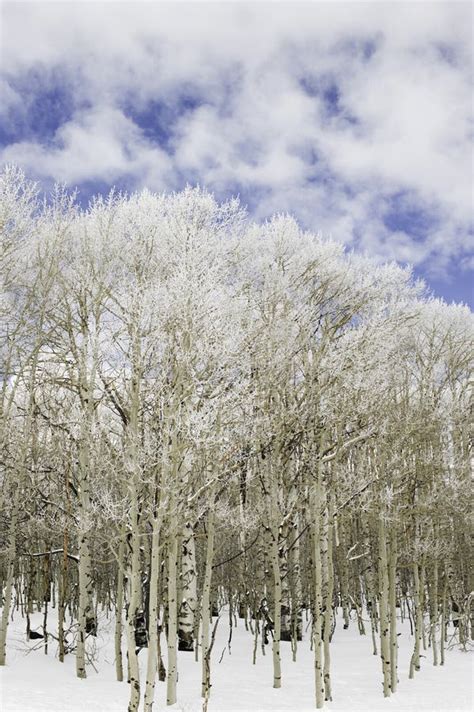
355 117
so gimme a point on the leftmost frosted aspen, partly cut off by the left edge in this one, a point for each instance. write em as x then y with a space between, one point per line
21 343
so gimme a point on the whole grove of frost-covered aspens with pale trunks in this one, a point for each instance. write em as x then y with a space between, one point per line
203 414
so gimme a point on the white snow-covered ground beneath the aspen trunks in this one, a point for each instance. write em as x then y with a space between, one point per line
35 682
